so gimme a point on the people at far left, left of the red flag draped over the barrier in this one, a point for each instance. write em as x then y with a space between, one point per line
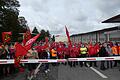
7 52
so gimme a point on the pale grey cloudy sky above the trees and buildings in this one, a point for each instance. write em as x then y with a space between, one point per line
79 15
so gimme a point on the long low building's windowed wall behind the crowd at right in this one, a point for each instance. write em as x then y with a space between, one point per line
99 36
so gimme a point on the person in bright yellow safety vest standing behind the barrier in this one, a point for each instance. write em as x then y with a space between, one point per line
83 54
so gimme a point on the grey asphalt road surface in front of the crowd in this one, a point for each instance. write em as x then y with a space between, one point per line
63 72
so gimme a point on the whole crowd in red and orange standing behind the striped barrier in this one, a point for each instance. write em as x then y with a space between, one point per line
61 50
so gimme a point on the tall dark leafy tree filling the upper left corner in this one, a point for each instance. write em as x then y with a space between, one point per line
9 18
